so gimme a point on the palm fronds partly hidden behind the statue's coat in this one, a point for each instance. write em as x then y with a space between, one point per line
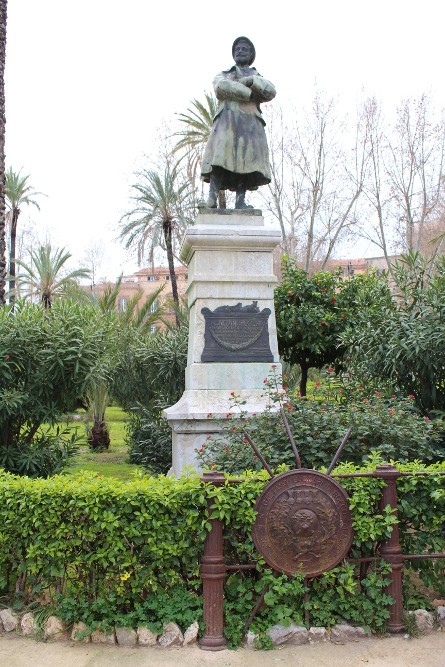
198 121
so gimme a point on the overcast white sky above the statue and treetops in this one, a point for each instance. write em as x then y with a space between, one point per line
89 82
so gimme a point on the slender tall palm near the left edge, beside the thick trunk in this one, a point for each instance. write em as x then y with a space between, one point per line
18 192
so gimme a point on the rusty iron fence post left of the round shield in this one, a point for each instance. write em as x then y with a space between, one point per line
213 574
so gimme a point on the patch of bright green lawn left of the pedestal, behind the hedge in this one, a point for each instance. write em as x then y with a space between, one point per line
114 461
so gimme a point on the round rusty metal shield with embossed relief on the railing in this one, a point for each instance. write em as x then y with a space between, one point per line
303 523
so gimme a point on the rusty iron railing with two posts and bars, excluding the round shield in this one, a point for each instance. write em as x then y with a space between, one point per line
214 568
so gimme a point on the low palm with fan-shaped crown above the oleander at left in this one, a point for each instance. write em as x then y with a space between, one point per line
45 277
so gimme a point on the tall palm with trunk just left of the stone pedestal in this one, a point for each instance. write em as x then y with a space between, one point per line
160 202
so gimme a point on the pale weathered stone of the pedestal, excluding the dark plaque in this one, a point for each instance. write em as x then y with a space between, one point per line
230 261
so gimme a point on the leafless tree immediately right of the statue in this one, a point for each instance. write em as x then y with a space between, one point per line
318 171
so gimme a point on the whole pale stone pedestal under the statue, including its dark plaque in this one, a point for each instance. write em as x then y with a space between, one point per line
230 294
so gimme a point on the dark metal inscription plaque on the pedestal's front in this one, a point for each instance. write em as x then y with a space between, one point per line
236 333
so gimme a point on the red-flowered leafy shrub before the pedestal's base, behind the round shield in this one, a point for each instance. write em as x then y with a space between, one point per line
390 426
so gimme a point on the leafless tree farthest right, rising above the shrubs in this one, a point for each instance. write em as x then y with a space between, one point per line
405 180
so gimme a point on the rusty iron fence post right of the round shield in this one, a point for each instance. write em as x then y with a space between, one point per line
390 549
